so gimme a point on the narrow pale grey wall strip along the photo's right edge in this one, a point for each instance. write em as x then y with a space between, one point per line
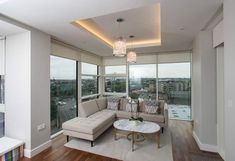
229 78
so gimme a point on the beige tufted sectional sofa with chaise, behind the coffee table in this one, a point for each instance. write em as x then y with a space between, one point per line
94 118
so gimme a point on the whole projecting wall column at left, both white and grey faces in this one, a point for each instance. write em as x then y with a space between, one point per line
28 87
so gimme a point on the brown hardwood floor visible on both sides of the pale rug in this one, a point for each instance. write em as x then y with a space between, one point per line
183 144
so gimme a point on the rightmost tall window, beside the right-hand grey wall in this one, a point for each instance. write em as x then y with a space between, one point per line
174 86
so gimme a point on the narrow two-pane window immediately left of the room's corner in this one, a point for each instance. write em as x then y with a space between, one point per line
90 81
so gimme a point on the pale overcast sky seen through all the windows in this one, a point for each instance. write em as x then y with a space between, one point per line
62 68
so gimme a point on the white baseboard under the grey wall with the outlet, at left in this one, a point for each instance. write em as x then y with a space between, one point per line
30 153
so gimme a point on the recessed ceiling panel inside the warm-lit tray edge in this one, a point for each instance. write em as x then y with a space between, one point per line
142 19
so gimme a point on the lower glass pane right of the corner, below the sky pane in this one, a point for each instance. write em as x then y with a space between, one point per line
115 84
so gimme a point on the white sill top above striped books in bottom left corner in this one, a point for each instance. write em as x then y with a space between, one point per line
8 144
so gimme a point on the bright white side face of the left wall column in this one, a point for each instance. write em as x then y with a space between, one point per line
17 88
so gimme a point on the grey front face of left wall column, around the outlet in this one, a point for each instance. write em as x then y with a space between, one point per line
40 87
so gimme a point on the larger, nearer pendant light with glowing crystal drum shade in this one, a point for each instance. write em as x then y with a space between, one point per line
119 46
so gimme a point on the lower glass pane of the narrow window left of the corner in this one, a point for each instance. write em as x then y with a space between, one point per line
89 85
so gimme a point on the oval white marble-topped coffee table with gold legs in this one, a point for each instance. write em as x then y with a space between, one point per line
134 128
